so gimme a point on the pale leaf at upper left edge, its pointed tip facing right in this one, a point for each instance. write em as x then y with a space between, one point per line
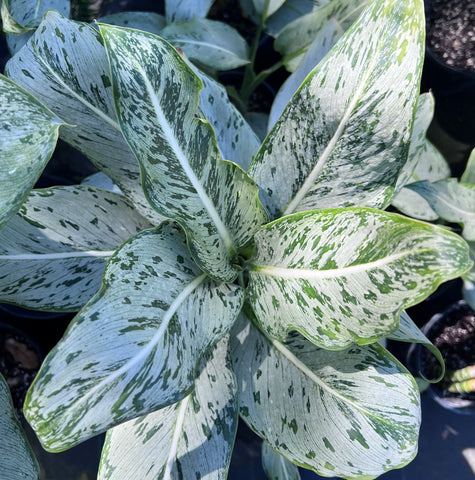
29 132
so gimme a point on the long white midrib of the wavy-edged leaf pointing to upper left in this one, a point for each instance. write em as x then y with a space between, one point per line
183 160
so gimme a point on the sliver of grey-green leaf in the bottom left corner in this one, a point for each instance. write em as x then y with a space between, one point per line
17 461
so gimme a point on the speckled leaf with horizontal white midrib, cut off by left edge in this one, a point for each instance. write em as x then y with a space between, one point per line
53 252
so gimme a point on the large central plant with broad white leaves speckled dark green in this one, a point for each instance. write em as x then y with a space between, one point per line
224 292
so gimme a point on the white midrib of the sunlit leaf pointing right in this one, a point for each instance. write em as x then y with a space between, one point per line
309 274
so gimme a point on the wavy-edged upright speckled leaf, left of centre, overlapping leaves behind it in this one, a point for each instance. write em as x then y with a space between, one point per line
183 175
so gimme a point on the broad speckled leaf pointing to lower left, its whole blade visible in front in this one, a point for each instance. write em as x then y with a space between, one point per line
135 346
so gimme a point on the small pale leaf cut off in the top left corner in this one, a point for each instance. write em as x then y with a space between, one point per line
21 17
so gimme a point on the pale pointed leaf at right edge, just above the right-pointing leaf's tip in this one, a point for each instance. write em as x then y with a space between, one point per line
451 200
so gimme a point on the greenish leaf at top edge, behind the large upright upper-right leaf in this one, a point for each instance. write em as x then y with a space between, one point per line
294 40
